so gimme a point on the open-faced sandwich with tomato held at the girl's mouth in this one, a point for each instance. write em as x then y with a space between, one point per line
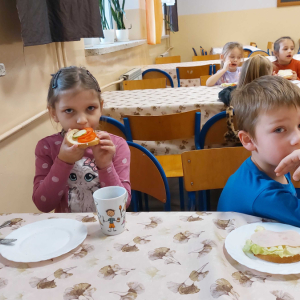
83 138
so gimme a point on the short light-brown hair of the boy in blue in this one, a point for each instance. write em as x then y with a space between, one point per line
261 95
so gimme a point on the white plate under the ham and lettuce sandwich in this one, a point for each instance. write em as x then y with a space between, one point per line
236 240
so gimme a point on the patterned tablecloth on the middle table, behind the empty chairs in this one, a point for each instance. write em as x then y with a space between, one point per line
161 102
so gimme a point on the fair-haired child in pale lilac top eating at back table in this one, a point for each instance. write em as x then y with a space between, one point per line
231 56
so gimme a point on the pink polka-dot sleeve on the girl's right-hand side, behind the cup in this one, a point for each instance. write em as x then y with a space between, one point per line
118 173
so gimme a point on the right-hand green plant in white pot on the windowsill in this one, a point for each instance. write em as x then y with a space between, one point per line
118 13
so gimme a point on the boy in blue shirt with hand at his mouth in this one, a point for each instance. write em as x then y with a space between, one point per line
268 117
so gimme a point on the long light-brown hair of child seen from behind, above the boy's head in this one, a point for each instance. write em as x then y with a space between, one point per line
253 68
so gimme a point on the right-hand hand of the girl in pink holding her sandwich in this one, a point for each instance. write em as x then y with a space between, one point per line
104 151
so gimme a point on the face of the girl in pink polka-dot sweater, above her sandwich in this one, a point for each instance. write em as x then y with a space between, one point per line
77 109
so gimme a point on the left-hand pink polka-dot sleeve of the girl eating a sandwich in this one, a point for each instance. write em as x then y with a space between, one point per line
51 179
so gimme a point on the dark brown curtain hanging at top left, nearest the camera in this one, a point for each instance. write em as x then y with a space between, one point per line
47 21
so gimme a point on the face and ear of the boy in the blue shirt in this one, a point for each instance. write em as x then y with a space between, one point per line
277 135
